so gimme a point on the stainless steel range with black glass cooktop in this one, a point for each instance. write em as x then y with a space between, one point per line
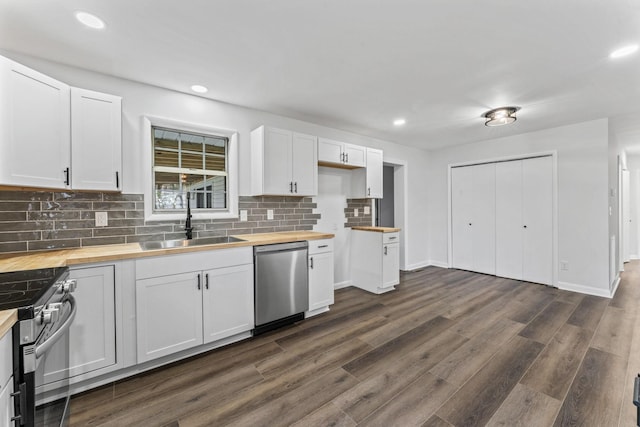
46 310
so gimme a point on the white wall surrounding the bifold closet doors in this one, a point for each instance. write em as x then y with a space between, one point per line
582 152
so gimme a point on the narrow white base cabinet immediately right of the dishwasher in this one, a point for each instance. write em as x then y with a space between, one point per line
320 276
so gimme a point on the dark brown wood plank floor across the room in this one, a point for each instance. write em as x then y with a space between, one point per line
448 348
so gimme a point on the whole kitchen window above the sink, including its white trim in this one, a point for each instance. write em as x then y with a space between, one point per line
184 156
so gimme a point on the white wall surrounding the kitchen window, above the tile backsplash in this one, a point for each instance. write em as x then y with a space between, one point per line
142 99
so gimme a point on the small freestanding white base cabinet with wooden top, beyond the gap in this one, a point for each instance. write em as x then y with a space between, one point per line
375 260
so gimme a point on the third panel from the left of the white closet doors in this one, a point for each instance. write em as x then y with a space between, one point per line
509 227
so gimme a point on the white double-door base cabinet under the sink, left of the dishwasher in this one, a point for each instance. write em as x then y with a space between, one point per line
186 300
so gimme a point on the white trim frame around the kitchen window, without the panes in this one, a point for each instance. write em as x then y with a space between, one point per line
232 168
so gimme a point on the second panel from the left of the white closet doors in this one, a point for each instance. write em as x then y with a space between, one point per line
484 218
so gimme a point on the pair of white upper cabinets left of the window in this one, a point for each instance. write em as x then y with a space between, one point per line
53 136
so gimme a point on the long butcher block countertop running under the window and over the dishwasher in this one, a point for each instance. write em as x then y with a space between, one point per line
67 257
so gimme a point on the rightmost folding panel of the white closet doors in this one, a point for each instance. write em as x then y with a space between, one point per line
537 220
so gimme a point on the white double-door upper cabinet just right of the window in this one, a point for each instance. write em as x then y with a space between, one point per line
283 163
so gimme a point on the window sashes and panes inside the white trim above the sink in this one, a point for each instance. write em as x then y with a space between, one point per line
189 162
